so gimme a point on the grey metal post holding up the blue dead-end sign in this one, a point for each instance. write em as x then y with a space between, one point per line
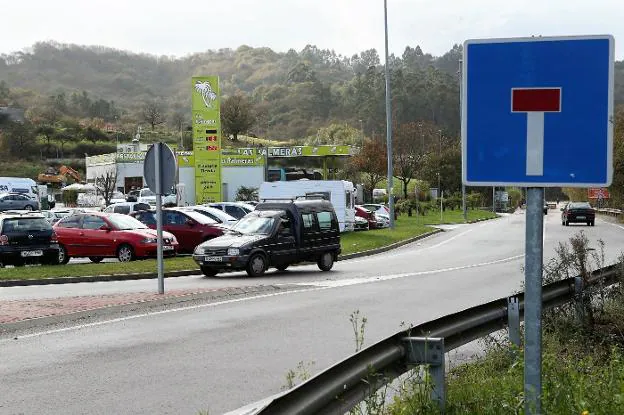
534 255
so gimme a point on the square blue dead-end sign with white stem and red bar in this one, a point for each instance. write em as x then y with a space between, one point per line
537 112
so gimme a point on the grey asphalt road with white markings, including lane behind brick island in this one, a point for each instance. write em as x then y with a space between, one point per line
221 356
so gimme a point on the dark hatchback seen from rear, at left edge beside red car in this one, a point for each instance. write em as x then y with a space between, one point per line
27 237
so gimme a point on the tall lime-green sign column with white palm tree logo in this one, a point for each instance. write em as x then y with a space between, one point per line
207 138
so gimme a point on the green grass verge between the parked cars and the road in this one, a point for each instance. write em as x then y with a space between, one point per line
406 227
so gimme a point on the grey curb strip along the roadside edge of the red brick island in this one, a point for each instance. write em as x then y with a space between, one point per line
142 306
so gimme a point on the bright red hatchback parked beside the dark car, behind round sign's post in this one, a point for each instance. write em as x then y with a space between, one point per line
100 235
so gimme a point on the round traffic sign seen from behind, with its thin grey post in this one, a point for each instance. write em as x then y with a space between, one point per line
159 170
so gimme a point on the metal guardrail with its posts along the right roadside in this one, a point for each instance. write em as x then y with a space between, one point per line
339 388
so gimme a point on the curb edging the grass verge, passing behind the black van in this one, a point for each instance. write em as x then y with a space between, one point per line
183 273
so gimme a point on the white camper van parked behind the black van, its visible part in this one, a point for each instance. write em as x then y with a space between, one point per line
339 192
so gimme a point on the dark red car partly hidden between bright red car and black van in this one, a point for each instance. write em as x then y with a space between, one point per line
189 227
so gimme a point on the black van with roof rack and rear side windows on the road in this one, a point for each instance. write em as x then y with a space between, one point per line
276 234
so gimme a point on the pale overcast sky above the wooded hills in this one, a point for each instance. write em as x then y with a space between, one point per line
182 27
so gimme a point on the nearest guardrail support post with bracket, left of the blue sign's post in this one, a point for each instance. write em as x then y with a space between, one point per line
429 351
